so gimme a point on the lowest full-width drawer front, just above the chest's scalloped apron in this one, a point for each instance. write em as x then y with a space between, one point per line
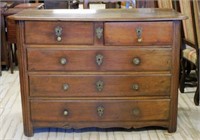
100 110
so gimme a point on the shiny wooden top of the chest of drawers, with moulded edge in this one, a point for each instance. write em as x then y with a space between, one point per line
140 14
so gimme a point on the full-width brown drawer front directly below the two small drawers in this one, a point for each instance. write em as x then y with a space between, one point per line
99 60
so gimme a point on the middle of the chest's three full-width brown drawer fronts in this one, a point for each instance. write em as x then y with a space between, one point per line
99 85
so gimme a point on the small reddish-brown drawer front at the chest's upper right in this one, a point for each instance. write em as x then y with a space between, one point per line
138 33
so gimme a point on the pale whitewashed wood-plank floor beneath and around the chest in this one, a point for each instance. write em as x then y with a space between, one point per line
11 127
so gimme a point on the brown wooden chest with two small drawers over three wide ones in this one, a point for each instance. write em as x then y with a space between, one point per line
99 68
